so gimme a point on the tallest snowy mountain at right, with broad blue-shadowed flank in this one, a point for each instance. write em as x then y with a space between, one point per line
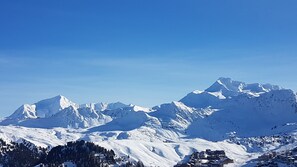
247 109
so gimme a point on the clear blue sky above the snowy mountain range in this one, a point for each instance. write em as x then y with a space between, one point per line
141 52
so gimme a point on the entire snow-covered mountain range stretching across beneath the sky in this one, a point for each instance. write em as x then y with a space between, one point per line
224 107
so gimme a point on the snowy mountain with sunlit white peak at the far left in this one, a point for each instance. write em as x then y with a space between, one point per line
61 112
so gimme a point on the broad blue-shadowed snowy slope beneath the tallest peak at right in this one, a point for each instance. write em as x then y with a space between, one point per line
248 113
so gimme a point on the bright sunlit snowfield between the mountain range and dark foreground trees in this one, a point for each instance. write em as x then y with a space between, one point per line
150 153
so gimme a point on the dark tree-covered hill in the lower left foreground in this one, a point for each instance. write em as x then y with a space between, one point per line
79 153
